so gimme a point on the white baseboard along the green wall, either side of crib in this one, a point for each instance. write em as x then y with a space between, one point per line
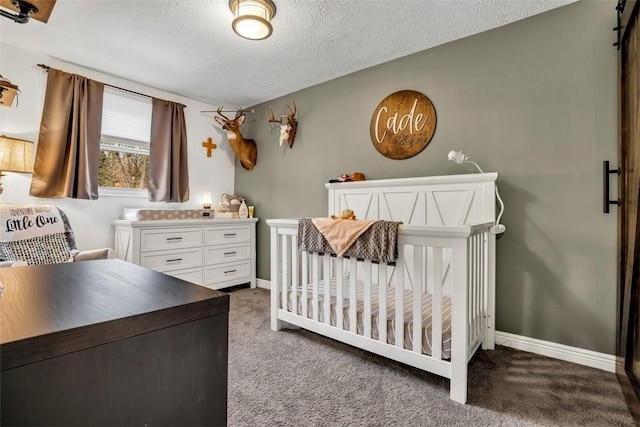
606 362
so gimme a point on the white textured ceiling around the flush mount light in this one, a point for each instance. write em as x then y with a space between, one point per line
187 47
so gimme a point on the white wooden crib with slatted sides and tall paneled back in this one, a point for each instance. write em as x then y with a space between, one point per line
430 309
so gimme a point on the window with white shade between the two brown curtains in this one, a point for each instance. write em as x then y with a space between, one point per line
124 145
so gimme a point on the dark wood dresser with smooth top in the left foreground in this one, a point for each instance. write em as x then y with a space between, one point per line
110 343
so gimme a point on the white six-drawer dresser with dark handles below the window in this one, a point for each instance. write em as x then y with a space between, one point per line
216 253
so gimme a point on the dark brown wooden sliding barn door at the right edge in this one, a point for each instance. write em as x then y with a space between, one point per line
628 367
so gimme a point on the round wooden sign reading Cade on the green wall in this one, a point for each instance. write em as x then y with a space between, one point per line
403 124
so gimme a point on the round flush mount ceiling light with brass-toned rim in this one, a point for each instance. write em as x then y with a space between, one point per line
252 18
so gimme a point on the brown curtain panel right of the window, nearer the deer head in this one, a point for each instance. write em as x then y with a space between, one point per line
168 171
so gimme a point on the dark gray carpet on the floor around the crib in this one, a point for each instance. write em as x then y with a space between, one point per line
297 378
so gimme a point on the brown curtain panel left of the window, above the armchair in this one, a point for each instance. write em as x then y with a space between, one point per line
68 149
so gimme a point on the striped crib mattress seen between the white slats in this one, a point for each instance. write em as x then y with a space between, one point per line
391 314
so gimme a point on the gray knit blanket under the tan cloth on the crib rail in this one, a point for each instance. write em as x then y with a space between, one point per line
378 243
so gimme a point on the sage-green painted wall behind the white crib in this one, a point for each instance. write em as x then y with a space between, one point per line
534 101
